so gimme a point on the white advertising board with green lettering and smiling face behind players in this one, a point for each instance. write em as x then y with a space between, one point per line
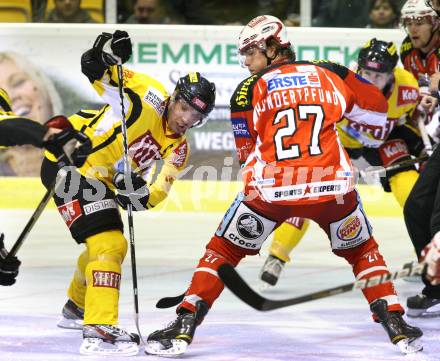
40 69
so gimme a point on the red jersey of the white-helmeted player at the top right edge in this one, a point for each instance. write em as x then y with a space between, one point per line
418 63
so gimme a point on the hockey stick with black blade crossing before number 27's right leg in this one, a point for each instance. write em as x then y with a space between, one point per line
241 289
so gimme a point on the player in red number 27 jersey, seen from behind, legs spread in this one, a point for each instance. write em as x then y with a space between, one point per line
284 121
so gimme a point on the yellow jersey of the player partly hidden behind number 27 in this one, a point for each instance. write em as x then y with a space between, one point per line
402 100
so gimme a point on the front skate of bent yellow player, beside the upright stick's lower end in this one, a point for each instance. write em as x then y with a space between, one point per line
105 340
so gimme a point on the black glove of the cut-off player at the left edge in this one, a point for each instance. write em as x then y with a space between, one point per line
69 147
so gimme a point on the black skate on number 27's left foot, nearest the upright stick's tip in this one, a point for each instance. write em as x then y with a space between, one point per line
175 338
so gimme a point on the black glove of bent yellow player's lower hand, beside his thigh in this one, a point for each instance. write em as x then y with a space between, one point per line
135 192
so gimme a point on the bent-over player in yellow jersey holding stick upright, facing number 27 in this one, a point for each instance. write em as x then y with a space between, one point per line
156 125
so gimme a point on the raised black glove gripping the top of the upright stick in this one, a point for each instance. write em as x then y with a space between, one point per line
113 49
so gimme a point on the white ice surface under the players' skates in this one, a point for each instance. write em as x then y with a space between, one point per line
168 247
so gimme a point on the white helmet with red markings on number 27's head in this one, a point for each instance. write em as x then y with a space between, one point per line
261 29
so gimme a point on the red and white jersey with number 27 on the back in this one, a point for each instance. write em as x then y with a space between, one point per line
284 123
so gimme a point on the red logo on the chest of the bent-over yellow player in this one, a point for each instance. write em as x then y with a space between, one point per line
144 150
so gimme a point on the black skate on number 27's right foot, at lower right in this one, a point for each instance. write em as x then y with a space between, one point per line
399 332
